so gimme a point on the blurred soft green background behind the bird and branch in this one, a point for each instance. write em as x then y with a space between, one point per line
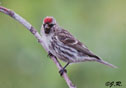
100 24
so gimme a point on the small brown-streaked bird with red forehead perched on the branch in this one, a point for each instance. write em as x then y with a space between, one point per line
61 44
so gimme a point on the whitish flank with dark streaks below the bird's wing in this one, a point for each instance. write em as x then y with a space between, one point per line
64 53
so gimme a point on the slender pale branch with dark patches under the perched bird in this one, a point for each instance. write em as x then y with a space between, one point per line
38 37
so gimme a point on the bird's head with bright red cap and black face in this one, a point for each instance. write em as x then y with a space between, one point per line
48 24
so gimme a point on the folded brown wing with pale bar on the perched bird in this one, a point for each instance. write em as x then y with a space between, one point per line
66 38
